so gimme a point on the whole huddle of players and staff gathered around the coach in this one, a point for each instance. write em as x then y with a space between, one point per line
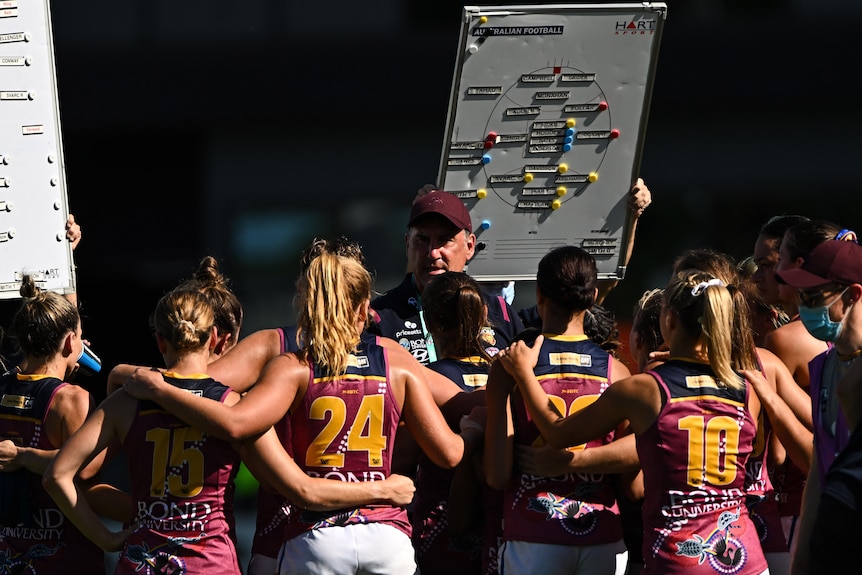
435 429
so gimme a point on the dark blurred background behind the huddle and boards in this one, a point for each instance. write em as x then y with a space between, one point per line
242 129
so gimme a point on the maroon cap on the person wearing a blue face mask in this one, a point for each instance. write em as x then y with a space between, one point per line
835 261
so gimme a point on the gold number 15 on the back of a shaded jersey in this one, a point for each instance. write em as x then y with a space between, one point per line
176 448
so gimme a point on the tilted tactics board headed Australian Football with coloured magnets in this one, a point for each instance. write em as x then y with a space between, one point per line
546 123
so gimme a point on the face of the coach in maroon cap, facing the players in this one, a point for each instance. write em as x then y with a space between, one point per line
436 246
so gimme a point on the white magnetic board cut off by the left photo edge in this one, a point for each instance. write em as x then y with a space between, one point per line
33 200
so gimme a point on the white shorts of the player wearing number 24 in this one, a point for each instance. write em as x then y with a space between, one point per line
360 549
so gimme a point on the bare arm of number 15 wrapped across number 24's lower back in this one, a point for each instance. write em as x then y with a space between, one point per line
268 461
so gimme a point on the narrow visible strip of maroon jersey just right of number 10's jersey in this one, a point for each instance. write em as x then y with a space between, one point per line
760 494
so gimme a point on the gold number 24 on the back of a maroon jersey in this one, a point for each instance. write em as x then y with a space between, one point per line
365 433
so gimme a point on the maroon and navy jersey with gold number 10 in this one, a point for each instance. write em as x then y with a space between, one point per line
693 460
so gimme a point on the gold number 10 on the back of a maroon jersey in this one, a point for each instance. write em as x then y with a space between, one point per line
712 449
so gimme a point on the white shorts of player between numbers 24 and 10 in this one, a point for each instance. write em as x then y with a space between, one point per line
524 558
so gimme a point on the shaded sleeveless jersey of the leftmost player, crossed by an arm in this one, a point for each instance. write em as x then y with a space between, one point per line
34 533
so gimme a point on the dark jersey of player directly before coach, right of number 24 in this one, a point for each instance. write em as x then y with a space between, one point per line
437 551
